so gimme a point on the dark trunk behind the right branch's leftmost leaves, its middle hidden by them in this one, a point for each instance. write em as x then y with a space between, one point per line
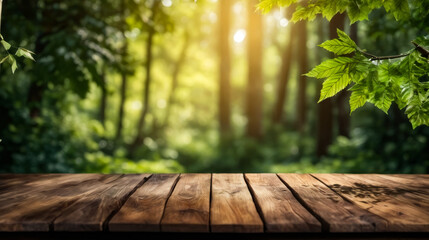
325 117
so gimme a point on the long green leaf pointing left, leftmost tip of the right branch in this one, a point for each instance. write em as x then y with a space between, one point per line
331 67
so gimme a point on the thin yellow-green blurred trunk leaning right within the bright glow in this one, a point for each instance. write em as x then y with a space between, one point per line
175 79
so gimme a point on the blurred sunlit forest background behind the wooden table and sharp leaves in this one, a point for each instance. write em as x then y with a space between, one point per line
123 86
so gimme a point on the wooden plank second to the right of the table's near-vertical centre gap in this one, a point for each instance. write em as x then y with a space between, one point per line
279 208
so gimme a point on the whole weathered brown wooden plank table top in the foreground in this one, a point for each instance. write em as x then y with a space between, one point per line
223 203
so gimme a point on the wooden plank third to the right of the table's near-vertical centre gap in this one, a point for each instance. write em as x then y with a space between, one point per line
336 214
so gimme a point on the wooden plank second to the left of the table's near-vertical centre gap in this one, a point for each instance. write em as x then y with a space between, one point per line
144 208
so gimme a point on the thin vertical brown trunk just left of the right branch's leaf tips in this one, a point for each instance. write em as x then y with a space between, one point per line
302 80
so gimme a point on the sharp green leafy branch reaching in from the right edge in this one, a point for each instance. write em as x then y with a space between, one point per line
404 81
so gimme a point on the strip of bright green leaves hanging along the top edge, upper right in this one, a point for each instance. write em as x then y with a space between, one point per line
356 9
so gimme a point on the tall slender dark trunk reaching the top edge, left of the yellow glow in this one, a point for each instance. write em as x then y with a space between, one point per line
138 140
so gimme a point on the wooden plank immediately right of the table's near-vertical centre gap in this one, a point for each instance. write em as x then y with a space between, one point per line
232 207
